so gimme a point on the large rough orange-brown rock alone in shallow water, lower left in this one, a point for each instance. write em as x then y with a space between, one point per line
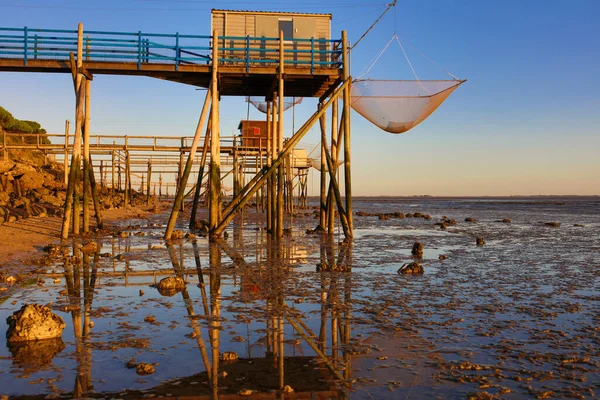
34 322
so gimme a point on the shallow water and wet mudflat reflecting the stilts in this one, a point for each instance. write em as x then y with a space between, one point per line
517 317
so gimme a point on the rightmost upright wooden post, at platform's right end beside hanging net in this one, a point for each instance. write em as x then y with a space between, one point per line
347 147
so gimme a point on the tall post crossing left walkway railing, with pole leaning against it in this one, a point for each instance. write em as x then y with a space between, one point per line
72 207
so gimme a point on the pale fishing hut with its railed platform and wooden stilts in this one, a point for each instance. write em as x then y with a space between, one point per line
273 56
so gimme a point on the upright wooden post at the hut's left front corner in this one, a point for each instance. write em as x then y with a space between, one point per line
215 145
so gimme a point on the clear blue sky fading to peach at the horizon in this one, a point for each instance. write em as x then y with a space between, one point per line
526 122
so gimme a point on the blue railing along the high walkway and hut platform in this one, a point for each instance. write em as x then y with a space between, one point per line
174 49
